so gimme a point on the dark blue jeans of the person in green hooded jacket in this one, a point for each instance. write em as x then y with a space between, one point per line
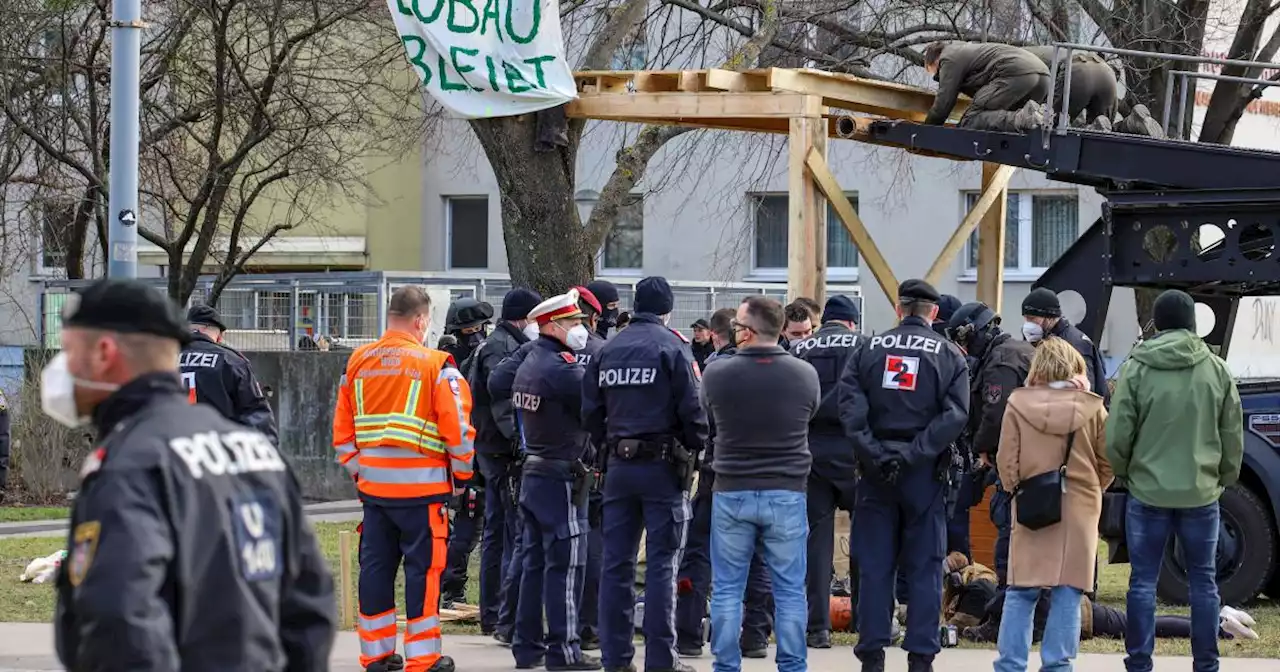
1148 531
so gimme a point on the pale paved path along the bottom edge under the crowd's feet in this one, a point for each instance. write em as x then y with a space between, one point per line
30 648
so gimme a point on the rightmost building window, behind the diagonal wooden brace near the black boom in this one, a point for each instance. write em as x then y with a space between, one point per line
1039 228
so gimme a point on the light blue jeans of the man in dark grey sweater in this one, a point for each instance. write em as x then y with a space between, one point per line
776 522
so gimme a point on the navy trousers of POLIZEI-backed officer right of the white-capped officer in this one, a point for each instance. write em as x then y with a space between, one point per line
642 496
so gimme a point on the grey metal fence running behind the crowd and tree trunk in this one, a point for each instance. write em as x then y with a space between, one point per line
326 310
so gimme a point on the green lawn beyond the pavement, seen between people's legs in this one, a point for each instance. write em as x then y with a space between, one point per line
35 604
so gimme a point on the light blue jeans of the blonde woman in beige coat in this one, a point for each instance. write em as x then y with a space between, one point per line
1062 632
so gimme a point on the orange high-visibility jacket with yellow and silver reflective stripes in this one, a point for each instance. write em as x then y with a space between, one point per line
404 420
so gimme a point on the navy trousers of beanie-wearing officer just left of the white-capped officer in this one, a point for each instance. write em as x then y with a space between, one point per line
499 540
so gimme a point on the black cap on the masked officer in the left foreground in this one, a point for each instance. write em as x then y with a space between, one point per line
127 308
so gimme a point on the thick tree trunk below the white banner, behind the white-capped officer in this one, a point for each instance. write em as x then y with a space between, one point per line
542 231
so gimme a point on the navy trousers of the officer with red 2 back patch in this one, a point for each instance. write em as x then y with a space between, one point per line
900 527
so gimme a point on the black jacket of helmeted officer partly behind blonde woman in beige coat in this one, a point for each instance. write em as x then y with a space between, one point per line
1003 368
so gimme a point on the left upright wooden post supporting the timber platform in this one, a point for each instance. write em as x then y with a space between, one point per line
807 212
